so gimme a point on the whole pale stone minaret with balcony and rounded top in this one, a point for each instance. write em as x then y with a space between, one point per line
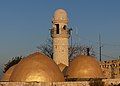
60 35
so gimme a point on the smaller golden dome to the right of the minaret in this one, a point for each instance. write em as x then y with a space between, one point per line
84 67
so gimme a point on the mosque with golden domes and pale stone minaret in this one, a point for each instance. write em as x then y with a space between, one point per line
38 67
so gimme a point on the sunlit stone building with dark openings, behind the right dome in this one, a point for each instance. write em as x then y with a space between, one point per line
111 68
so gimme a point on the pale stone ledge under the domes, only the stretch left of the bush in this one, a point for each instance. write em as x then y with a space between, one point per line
44 84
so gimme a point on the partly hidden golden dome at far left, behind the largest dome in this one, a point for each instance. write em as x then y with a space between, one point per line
8 73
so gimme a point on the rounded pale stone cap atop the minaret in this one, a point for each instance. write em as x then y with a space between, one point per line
60 15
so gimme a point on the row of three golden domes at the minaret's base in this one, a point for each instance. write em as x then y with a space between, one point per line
40 68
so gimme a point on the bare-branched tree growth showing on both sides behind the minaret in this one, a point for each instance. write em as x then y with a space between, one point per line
74 50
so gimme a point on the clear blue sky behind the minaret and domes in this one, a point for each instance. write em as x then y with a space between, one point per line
25 24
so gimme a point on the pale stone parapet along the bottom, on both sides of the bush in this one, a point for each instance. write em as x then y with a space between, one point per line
107 82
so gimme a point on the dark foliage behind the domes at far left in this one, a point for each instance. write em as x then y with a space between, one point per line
12 62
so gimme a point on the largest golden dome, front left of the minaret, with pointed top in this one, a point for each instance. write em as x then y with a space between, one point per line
37 67
